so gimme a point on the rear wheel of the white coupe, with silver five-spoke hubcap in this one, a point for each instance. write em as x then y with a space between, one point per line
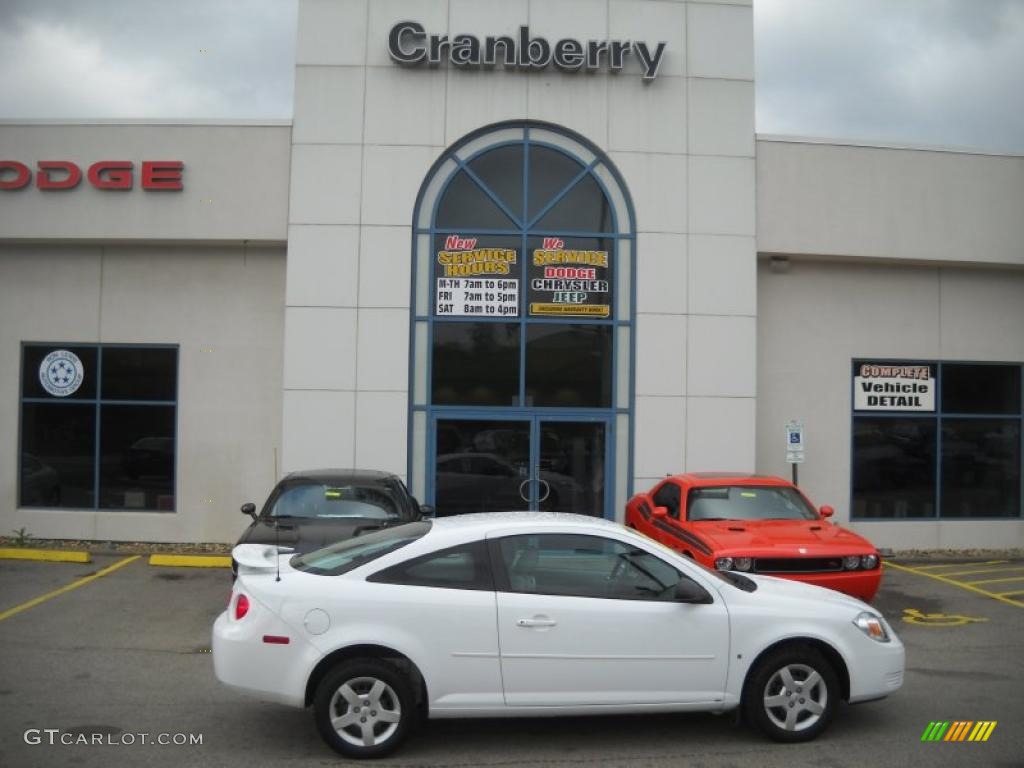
365 708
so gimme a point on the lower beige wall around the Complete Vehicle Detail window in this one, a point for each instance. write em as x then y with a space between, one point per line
817 317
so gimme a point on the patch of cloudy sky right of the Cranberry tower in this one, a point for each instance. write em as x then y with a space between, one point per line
941 72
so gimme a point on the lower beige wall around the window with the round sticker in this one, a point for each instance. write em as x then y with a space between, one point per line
225 300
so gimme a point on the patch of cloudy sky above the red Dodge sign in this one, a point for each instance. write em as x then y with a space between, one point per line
157 60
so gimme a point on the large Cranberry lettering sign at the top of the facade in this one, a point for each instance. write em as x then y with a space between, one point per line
410 45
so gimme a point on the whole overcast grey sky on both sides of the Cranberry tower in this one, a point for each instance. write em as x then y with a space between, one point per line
923 72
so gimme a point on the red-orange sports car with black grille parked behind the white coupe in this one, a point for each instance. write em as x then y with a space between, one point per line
756 525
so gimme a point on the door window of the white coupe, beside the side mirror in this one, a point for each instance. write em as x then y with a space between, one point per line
583 567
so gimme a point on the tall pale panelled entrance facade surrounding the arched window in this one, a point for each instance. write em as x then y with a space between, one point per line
368 131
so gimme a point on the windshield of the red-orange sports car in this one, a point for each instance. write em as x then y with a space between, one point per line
748 503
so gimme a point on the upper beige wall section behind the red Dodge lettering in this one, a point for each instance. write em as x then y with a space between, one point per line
235 183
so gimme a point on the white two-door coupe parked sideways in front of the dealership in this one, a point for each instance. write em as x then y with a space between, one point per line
533 615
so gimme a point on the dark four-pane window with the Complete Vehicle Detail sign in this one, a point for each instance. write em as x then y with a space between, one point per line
955 455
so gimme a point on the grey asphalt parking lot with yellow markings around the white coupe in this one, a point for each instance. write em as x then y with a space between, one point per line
127 655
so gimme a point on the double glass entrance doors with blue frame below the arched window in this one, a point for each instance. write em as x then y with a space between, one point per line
535 463
